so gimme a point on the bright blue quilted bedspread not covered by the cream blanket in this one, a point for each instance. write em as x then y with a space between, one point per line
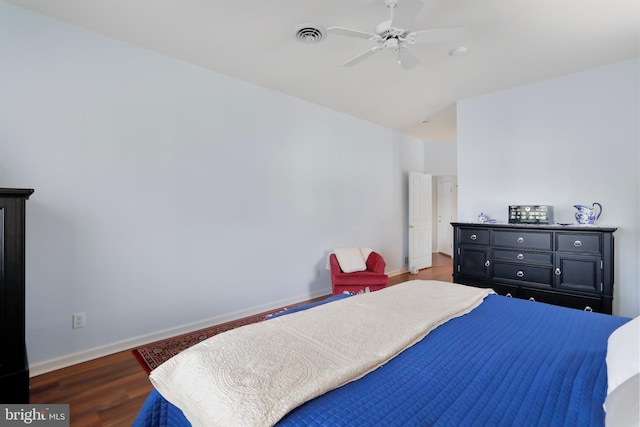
509 362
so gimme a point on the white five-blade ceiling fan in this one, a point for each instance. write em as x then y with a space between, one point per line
396 35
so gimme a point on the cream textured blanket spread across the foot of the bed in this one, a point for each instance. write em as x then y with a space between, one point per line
256 374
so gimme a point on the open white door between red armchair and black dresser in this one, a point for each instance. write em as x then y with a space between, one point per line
420 206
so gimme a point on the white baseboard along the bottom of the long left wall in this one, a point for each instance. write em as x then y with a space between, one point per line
129 344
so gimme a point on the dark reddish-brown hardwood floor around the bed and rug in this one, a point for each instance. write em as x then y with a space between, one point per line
109 391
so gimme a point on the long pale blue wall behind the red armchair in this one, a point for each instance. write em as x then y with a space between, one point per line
168 197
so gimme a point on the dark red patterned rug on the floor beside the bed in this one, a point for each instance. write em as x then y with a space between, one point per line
152 355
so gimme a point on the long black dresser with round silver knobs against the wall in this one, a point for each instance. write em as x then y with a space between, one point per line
570 266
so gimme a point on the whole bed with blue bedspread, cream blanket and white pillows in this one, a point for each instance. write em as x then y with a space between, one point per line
494 361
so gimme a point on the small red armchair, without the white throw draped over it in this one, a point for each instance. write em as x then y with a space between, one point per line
373 277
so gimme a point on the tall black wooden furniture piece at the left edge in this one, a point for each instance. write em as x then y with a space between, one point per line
14 368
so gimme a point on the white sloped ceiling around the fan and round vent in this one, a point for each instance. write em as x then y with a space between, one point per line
509 42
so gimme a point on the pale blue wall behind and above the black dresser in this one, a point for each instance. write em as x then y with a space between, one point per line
564 141
